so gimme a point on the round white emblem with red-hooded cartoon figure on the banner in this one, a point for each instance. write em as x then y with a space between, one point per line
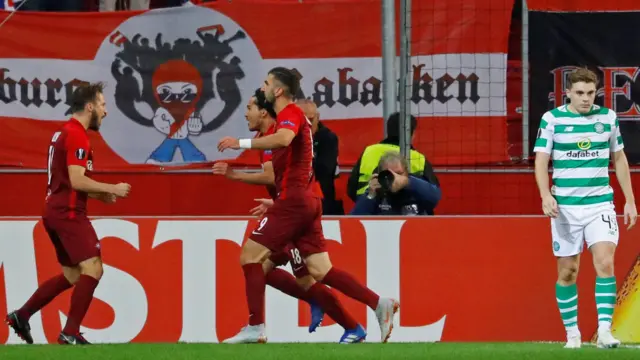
177 85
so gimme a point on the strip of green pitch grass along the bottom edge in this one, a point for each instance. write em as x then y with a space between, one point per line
445 351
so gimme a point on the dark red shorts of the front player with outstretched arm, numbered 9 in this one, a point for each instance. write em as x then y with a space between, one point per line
293 221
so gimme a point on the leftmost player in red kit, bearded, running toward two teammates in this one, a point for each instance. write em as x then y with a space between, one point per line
69 185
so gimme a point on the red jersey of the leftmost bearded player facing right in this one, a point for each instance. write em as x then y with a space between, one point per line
69 146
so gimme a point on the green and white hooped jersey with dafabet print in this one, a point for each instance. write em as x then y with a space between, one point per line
580 146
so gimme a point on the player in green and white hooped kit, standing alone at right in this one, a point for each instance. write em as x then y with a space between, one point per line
580 137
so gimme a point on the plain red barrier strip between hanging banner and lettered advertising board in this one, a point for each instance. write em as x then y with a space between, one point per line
205 194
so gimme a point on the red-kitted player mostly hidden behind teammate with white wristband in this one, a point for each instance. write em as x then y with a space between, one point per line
261 117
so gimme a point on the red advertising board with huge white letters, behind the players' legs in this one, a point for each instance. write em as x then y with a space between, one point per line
457 279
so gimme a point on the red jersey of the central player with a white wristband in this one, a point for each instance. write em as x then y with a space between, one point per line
293 165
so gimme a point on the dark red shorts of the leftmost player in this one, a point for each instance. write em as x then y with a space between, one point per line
75 240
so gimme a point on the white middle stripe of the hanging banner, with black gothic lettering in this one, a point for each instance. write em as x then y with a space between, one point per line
465 85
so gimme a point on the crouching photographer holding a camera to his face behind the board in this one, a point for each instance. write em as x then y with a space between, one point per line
393 191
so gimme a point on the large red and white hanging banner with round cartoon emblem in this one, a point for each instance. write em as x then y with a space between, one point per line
224 49
